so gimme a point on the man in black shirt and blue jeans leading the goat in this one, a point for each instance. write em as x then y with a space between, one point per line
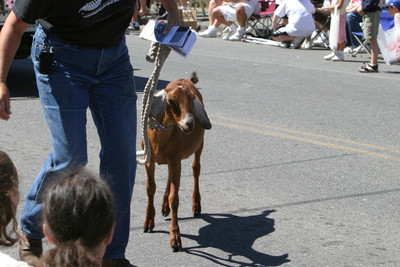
81 61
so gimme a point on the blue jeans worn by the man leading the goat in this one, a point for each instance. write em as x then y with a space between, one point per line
101 79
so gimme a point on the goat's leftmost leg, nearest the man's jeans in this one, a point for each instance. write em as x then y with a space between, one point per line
151 190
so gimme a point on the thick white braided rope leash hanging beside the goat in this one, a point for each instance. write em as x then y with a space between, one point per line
158 53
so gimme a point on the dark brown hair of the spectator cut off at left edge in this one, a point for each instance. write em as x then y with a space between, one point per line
8 184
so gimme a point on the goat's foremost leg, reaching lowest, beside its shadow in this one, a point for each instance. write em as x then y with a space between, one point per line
174 176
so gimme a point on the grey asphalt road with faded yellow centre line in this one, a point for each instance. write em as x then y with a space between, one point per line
301 167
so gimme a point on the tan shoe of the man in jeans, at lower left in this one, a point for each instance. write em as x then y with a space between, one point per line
29 249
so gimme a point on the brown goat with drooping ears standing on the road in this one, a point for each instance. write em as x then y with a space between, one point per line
179 113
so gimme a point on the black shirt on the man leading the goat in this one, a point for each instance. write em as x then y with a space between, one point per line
95 24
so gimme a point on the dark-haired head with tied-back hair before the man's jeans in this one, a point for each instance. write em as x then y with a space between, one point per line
78 210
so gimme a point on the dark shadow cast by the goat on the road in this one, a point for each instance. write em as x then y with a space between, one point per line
236 236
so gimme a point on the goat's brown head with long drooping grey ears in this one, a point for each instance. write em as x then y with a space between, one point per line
180 104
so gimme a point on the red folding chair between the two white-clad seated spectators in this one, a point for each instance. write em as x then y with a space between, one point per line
260 23
